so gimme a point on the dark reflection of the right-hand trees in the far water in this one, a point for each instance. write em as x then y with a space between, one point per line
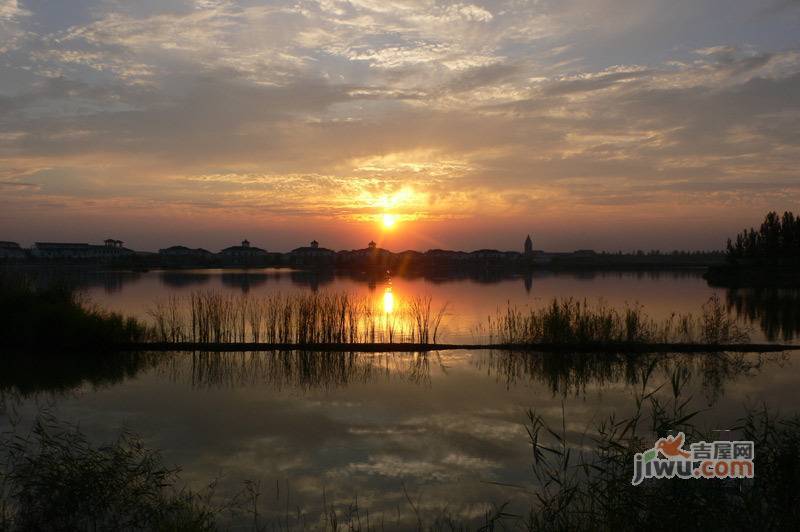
777 310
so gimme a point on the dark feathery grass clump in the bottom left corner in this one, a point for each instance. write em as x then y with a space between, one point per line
54 479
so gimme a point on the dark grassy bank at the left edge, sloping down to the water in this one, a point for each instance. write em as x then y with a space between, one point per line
52 316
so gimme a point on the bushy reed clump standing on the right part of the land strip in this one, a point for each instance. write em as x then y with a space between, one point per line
572 321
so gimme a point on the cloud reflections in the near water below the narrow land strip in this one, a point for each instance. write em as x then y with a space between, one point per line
443 440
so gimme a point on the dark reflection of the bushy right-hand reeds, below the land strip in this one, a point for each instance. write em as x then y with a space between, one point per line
567 374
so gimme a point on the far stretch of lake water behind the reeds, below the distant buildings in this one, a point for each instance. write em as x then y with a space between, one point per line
773 315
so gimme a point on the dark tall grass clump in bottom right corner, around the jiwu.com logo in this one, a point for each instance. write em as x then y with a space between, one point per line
586 485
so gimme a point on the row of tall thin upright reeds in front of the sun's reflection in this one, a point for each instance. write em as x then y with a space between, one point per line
300 319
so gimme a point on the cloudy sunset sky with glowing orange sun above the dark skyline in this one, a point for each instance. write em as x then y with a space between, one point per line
604 124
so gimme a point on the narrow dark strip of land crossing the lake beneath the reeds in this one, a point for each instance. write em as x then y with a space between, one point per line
628 347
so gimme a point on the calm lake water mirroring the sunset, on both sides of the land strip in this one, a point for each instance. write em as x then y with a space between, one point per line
444 433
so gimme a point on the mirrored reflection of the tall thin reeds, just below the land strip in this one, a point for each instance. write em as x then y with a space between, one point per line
298 369
